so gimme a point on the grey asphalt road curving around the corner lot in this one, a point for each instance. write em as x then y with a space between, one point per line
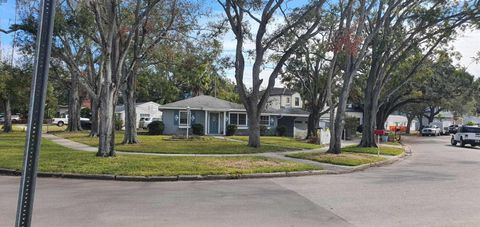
438 186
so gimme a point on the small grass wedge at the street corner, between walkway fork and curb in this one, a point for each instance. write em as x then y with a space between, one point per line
345 158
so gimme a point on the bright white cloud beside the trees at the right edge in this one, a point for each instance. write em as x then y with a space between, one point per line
468 44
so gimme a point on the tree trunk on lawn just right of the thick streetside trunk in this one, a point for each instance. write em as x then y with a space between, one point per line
130 136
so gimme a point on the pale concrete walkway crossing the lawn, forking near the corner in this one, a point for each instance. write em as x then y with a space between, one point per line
278 155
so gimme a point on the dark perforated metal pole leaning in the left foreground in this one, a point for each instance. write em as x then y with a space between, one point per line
35 114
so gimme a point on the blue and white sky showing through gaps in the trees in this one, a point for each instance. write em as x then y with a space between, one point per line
467 44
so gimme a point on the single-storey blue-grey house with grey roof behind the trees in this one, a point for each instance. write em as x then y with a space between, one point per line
215 114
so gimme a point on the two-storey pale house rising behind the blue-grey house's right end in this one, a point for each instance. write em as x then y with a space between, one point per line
284 98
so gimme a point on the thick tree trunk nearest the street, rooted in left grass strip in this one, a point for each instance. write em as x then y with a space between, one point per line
107 119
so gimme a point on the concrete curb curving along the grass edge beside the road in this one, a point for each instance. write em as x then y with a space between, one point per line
10 172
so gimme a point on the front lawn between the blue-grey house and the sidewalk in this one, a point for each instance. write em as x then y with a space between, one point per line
163 144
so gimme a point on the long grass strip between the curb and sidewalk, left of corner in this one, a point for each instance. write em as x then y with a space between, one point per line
55 158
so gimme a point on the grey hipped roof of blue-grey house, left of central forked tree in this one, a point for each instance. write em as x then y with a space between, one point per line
203 102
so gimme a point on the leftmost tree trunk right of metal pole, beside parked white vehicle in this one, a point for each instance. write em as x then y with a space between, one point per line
74 105
